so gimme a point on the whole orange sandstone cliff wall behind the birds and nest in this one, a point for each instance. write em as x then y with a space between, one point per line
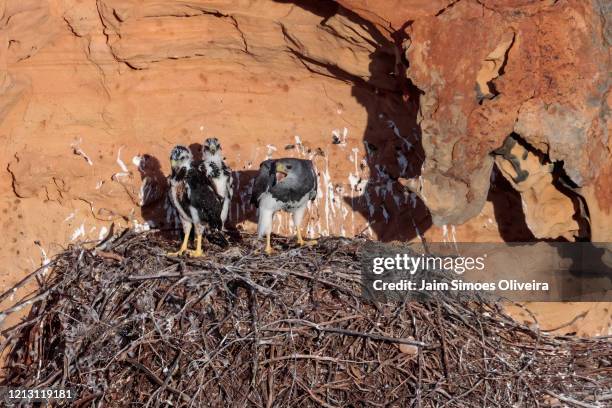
495 114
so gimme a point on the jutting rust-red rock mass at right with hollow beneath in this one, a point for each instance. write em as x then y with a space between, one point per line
539 70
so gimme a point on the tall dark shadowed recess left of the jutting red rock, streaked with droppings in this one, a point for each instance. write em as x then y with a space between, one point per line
392 140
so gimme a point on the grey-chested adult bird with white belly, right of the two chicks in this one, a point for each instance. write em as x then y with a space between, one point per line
283 184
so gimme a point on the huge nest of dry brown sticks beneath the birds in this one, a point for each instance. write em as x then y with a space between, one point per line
126 325
